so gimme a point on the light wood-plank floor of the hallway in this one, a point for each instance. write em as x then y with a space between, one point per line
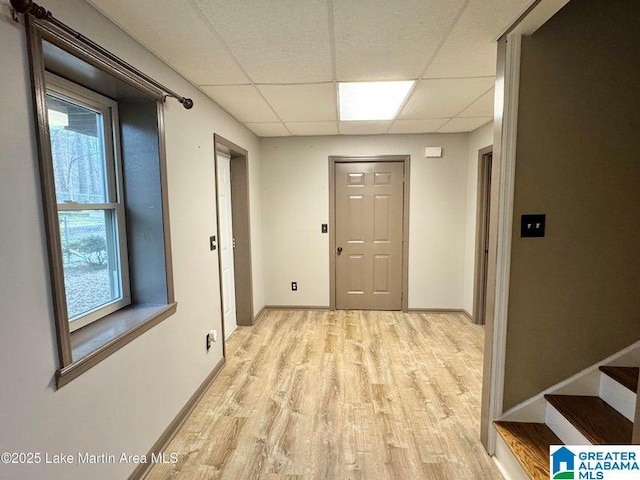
341 396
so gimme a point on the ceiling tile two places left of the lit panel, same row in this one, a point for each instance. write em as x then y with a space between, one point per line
242 101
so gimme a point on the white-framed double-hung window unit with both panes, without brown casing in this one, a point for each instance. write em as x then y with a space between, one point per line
84 138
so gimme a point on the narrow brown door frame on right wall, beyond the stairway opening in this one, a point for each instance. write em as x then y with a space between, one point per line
483 197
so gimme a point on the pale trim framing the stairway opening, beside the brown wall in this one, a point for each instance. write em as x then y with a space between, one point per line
505 132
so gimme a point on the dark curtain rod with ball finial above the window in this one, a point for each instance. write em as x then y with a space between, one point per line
29 7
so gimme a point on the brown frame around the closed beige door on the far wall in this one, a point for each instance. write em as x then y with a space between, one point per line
333 160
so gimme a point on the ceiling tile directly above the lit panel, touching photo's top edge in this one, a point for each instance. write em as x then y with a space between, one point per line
383 40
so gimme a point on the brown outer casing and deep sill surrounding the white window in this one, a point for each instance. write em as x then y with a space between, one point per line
84 348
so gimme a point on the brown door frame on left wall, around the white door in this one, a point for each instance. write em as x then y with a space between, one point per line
240 213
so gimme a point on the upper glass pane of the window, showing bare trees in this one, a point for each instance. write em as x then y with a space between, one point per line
77 147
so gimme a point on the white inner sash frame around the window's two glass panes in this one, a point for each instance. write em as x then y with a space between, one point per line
70 92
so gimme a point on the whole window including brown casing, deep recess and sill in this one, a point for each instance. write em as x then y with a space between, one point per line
100 135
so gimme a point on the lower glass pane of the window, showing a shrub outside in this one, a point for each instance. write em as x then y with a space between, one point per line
90 259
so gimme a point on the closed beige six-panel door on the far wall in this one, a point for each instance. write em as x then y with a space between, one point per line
369 215
